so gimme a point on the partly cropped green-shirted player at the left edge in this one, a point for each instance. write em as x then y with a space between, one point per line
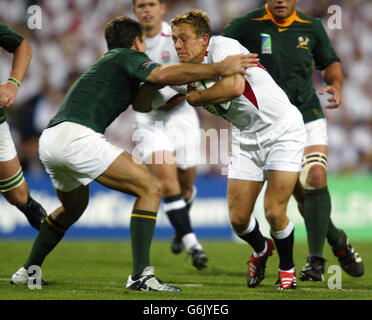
13 185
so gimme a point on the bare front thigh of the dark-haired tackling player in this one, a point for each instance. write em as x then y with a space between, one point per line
127 176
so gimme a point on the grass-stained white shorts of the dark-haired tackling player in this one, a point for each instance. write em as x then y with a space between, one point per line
75 155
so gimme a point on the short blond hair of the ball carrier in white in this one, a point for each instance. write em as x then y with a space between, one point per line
198 19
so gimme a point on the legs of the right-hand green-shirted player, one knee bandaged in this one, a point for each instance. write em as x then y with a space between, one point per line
317 211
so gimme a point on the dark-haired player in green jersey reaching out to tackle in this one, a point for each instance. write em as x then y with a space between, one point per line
74 151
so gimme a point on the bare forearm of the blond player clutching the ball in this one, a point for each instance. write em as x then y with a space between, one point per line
223 90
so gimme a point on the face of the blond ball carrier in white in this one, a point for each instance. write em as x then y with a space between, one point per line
189 47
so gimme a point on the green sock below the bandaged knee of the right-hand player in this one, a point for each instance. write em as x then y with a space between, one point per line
317 211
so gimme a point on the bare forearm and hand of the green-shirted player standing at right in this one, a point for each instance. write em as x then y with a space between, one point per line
334 78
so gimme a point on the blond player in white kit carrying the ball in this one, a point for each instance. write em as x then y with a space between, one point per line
268 138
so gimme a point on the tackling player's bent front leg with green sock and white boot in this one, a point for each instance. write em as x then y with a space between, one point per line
127 176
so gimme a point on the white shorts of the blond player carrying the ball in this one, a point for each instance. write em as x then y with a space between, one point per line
279 147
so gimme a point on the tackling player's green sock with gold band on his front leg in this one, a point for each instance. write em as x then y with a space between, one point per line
142 225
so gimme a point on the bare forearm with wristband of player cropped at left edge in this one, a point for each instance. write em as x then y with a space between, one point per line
21 61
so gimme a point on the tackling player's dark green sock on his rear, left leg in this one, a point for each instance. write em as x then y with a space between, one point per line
46 240
